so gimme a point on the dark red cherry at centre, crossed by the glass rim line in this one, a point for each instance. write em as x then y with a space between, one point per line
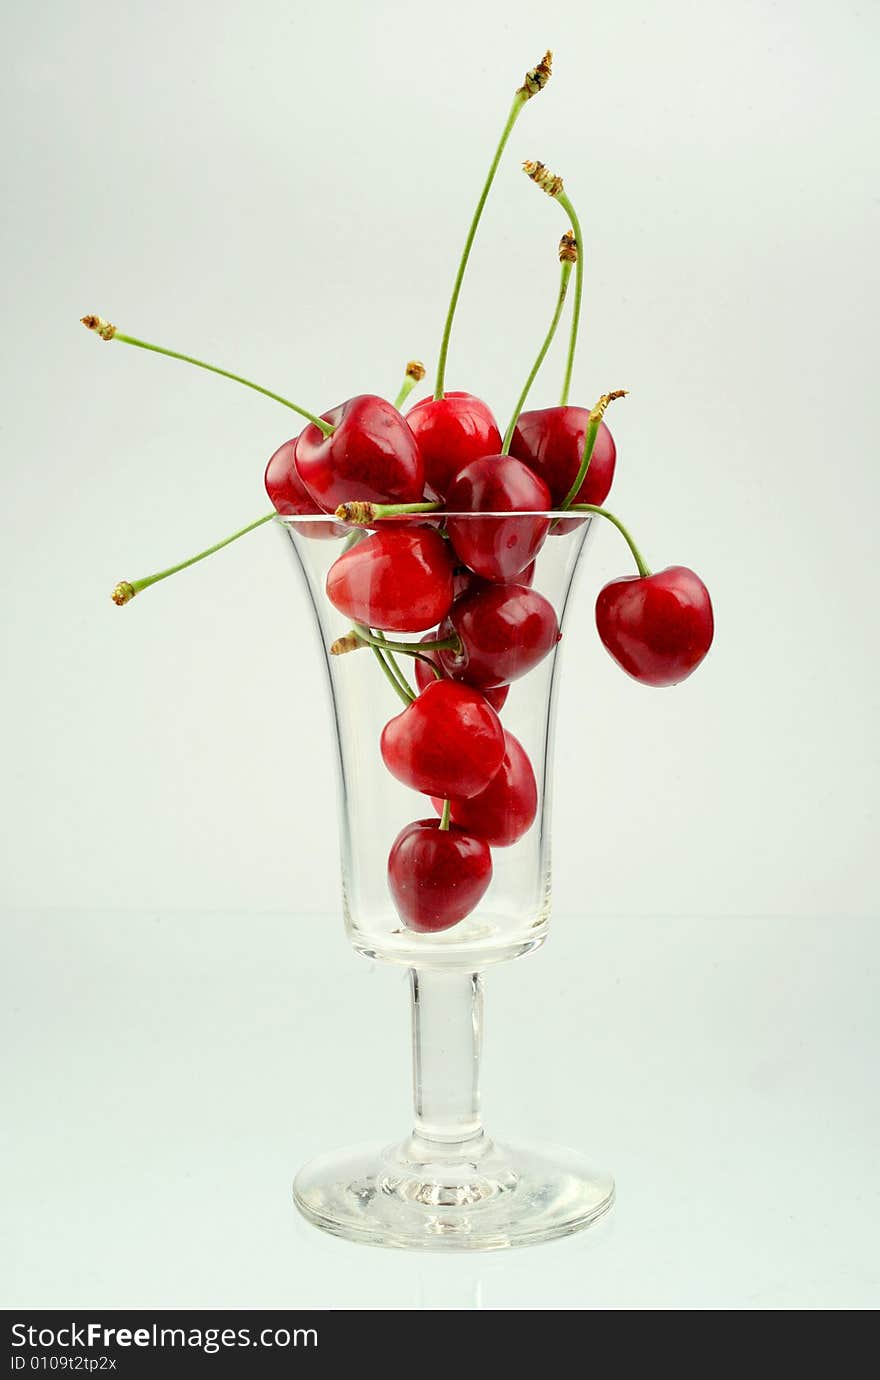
497 549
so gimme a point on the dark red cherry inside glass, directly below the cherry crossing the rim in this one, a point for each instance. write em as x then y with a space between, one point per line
504 630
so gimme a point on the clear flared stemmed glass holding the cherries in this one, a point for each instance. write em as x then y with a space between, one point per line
448 1186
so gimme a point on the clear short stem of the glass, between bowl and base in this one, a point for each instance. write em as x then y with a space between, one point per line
448 1036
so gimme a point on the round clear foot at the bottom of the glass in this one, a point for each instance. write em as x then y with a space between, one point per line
475 1196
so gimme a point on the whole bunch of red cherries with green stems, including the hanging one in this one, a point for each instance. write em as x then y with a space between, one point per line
408 493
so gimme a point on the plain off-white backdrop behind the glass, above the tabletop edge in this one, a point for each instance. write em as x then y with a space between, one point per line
285 190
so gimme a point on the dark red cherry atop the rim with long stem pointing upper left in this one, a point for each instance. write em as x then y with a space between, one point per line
372 456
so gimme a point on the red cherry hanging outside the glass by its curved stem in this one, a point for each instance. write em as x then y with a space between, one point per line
659 629
